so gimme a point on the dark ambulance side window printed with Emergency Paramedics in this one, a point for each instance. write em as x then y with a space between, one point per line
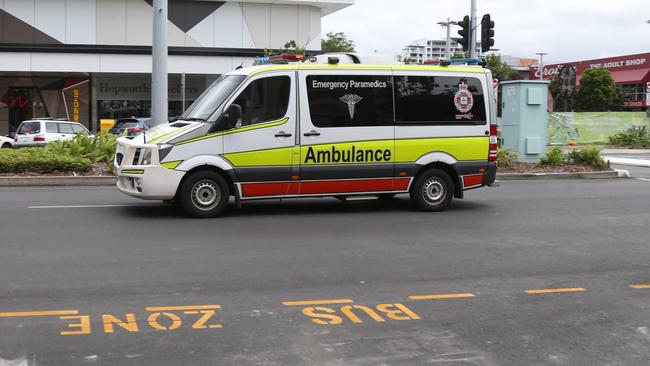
350 100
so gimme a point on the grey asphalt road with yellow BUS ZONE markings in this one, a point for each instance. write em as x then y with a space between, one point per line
529 273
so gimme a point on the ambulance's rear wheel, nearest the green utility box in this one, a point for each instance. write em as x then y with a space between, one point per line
432 191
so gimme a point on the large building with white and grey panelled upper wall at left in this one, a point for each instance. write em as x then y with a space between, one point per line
90 59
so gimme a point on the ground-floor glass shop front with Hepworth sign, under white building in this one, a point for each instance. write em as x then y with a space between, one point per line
87 98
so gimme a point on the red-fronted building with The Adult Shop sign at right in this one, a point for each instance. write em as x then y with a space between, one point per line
630 73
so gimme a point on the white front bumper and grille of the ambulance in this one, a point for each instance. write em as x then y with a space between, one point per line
146 181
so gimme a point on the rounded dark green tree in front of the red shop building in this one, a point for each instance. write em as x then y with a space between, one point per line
597 91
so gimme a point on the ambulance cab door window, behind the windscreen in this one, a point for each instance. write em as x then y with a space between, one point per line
264 100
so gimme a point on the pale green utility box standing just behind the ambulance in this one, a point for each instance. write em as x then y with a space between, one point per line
524 118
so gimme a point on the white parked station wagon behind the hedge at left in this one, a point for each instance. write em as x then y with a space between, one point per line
40 132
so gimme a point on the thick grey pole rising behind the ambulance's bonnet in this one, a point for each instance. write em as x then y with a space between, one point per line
159 98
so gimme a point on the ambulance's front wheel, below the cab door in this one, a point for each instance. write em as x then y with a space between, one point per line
204 194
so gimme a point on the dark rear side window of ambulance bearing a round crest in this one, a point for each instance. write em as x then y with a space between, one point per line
439 99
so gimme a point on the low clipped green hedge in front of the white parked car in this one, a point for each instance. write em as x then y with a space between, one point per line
39 160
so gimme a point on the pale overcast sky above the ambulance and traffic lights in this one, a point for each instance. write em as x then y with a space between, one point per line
568 30
